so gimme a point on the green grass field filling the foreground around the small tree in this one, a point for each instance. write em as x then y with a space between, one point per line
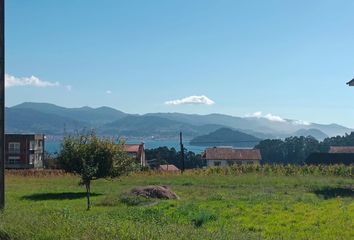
248 206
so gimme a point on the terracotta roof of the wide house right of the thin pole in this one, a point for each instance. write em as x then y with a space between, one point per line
231 154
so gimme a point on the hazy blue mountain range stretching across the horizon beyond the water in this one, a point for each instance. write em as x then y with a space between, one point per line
54 120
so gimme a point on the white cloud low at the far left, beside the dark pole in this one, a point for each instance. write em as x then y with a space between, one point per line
12 81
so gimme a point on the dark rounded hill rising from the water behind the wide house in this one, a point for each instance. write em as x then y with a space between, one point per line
226 137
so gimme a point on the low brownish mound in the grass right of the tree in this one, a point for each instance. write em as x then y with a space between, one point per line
160 192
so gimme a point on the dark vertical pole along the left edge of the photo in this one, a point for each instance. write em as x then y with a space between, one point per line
2 106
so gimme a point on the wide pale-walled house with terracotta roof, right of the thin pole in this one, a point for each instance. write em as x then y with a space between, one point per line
223 157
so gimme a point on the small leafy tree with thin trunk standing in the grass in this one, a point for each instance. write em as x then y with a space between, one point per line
92 158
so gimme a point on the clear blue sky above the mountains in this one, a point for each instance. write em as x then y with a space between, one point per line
284 58
